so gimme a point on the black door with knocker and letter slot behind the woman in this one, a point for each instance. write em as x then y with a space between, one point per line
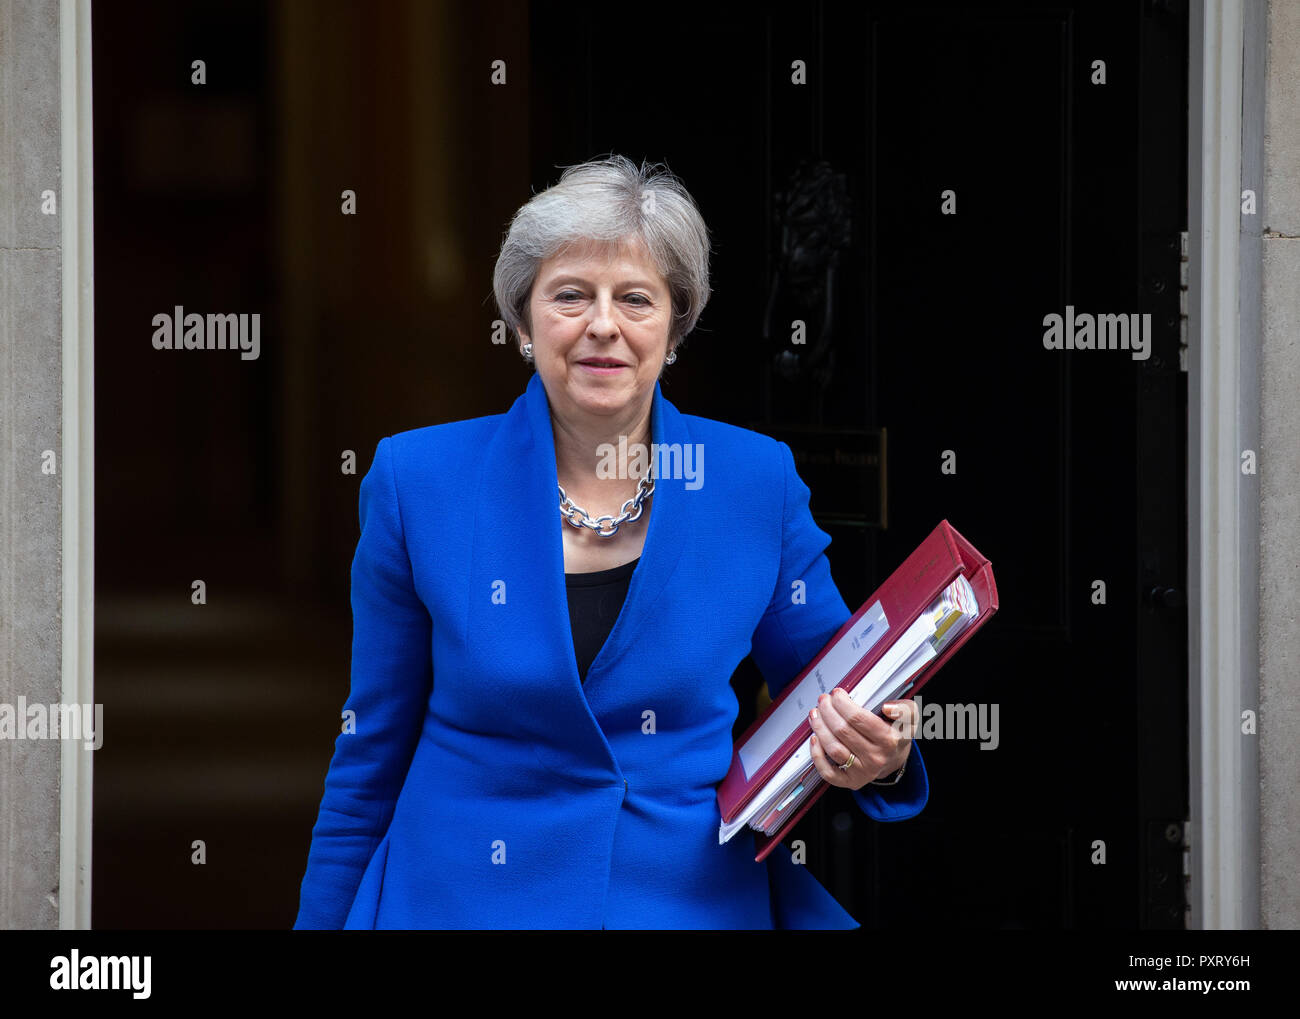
922 187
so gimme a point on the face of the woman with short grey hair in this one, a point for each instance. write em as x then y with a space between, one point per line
601 318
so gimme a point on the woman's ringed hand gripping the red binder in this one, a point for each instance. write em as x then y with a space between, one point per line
842 729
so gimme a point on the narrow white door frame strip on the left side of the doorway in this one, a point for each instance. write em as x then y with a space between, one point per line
79 458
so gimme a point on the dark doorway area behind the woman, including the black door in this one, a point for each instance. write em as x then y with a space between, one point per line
226 197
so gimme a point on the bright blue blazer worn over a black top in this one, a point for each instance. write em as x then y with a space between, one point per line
478 782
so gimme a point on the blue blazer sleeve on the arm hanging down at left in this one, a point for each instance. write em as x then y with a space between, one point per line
392 680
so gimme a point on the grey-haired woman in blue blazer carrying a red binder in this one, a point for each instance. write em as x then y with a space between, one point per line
545 631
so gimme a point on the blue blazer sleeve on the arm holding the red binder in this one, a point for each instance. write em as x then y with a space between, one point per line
799 623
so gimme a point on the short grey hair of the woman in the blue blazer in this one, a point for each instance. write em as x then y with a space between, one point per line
605 201
